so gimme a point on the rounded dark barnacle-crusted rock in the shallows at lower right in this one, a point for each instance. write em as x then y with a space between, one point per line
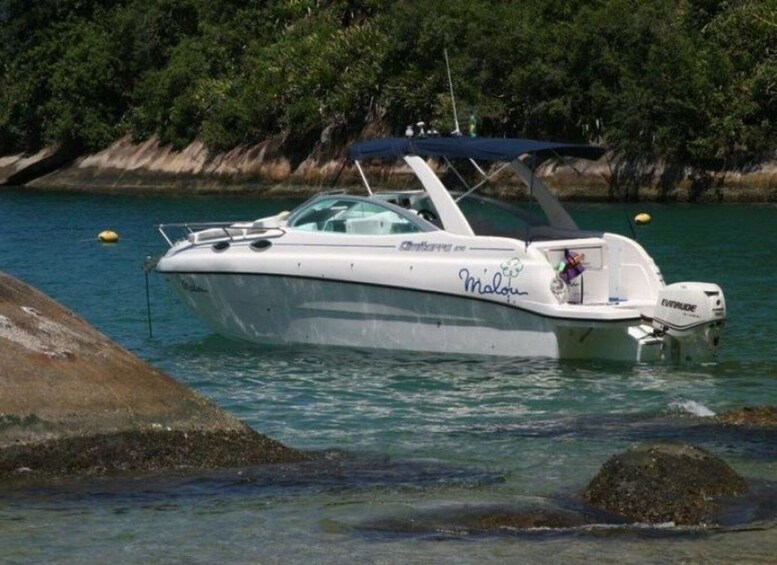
664 482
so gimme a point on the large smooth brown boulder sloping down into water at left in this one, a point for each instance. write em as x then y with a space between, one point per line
74 402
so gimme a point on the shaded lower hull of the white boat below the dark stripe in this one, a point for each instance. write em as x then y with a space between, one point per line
300 310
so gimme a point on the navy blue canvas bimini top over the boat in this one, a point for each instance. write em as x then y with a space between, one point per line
482 148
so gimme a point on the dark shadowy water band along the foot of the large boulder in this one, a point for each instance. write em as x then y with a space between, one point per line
331 472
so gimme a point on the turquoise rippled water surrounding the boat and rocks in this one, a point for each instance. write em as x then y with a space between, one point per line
408 434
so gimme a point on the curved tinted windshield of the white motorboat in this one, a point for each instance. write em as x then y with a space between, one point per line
354 216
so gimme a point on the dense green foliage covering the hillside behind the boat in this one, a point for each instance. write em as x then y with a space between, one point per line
691 81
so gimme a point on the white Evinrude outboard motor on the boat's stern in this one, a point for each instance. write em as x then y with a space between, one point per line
690 317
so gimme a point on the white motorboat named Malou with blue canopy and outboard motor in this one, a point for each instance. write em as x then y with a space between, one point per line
420 270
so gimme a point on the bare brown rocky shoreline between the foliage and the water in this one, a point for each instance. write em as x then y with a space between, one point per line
270 170
